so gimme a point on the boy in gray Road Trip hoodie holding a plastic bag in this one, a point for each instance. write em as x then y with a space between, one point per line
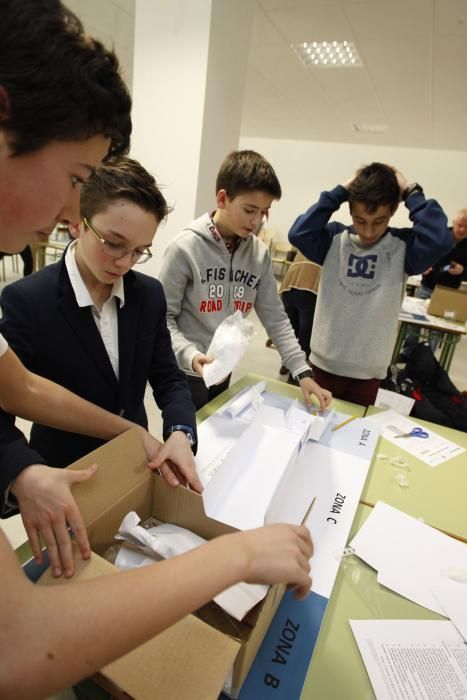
217 265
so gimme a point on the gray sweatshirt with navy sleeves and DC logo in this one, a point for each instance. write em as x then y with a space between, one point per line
361 288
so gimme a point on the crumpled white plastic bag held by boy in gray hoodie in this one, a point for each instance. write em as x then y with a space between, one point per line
228 345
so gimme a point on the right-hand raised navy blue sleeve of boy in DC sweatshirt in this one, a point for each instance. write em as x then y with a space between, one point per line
430 238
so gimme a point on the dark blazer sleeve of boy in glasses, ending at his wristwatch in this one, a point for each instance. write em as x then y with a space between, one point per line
169 384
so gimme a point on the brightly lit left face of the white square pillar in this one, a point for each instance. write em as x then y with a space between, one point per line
169 82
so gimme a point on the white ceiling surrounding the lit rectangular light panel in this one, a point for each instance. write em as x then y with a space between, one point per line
413 78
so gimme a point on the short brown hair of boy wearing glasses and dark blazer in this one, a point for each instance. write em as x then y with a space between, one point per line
122 178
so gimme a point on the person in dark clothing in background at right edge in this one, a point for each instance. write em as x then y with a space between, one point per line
451 269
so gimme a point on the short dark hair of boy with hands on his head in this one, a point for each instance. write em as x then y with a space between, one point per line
375 185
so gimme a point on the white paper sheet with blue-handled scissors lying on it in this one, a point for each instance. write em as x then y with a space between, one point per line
433 450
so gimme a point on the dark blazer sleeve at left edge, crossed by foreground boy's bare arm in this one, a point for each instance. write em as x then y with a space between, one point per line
15 453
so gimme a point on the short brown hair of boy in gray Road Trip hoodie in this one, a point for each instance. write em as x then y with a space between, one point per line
246 171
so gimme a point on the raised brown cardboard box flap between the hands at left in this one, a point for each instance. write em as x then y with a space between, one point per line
122 467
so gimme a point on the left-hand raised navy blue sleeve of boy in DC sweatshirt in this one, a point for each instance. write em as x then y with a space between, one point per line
312 233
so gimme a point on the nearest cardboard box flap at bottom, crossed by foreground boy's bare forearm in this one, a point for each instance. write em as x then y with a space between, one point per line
188 660
